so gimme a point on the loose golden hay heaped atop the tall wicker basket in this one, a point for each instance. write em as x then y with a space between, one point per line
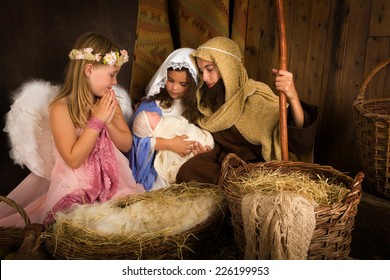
320 191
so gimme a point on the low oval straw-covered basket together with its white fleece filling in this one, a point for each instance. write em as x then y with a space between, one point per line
154 225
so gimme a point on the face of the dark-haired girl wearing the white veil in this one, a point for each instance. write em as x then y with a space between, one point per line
177 83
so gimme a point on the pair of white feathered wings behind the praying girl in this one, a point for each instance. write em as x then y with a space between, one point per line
28 127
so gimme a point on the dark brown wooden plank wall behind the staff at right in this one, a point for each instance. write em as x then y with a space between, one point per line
332 45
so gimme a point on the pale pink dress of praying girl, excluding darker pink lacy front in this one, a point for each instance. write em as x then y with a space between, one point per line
38 195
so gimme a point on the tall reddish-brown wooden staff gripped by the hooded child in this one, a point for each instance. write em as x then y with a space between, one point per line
283 66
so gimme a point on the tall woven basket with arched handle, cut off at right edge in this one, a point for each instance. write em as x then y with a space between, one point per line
372 117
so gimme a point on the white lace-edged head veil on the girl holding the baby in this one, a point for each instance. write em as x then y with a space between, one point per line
177 60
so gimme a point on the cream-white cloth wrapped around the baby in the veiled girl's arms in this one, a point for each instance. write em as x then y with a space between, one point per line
167 163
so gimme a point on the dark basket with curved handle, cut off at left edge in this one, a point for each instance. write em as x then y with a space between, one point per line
13 236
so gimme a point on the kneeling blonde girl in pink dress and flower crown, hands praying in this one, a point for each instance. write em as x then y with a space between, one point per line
90 136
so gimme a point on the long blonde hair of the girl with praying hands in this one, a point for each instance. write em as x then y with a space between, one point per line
76 85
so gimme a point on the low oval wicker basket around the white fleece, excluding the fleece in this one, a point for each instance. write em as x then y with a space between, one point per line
194 243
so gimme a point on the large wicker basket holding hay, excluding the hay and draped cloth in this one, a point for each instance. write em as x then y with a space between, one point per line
332 235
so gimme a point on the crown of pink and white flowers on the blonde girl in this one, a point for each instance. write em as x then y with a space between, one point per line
113 58
